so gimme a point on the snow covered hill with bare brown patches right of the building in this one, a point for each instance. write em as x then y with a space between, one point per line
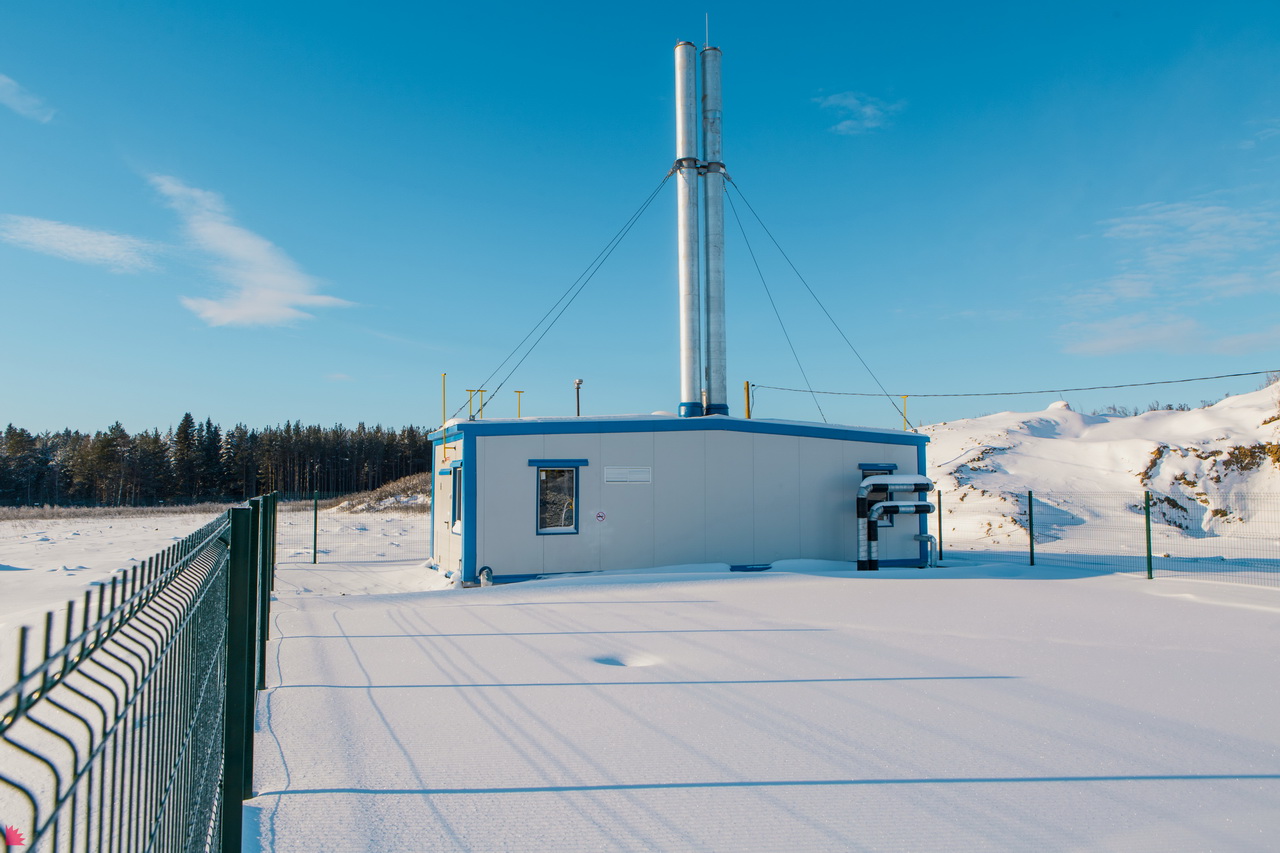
1213 472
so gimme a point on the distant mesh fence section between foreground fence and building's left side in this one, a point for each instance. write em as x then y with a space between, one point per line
322 530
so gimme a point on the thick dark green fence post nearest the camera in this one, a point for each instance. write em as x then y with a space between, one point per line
239 719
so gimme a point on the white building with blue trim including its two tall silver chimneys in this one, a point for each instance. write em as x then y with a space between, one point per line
557 495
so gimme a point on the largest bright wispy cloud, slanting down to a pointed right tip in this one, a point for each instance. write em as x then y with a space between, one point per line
267 286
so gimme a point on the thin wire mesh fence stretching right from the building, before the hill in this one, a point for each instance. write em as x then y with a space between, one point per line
1222 536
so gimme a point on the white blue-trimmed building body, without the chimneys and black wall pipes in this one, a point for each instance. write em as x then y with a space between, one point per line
528 498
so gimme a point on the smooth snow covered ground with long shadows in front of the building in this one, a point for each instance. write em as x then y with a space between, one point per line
979 706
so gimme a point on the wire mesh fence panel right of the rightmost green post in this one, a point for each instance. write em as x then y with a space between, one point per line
1232 537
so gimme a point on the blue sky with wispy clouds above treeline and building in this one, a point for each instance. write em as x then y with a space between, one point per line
272 212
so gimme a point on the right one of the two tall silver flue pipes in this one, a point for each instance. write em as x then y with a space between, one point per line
714 236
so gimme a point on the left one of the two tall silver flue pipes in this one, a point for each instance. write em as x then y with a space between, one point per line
687 232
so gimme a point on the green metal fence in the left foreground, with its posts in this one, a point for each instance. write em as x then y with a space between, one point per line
130 723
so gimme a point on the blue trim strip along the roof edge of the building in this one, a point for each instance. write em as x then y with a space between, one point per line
591 426
